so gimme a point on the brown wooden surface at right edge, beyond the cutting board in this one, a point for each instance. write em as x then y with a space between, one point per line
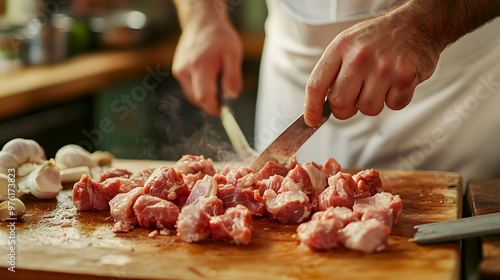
484 198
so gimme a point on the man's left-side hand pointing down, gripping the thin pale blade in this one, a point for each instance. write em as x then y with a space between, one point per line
209 47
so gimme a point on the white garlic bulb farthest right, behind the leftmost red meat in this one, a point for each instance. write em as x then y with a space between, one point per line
72 155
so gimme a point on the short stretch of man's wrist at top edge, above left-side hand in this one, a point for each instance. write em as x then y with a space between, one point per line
201 12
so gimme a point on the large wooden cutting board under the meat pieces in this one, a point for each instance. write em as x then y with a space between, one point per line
53 237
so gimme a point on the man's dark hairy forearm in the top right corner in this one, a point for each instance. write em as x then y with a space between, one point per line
442 22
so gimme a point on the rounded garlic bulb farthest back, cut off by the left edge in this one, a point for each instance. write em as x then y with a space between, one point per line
18 151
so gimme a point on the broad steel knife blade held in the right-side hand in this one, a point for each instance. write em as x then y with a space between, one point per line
290 140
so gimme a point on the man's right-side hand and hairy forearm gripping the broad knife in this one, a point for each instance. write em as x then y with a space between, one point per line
382 60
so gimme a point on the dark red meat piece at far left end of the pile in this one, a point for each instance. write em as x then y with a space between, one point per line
88 195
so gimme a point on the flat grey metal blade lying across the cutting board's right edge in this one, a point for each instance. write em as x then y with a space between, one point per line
458 229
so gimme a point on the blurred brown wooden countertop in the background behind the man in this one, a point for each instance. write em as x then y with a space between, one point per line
38 86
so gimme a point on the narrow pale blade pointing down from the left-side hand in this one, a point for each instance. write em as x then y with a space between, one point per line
233 131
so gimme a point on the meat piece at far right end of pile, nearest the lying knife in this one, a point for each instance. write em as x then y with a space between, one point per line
380 205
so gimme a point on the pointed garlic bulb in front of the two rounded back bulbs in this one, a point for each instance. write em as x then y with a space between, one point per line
43 182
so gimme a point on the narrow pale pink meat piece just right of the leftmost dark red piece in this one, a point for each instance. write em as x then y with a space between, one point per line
121 208
